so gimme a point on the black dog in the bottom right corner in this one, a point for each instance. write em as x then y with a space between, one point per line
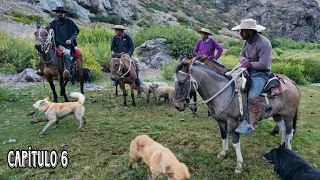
289 165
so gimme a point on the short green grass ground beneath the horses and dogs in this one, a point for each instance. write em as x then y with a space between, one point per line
100 150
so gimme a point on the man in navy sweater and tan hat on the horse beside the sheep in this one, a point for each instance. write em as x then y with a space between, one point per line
123 43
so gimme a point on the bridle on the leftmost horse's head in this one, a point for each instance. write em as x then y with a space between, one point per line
47 44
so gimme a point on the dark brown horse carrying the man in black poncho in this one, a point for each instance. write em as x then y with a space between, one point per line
51 63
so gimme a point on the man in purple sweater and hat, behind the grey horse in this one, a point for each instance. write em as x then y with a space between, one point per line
206 46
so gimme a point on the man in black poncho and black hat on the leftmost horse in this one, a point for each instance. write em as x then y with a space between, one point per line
66 32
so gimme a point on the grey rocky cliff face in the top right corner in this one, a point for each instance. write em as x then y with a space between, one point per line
281 19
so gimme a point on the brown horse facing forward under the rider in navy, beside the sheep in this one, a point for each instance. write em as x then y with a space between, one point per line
123 71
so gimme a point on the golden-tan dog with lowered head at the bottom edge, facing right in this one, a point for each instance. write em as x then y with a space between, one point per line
160 160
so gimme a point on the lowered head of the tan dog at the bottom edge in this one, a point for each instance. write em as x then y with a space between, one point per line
177 172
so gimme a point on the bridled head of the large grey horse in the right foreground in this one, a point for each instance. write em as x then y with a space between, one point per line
182 84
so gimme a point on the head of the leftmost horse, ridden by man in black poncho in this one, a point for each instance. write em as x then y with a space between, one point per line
44 38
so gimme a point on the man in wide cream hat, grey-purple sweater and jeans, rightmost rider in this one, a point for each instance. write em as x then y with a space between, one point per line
256 57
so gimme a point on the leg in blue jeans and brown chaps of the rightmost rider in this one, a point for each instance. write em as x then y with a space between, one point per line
255 103
